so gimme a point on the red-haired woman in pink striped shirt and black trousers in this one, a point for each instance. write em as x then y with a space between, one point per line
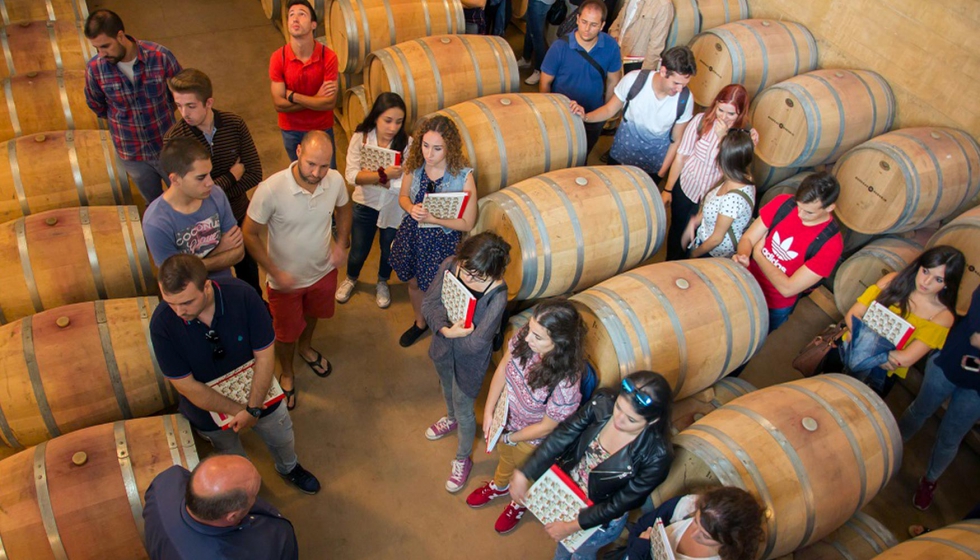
695 168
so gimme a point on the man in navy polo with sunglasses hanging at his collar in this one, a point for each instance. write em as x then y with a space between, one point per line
207 330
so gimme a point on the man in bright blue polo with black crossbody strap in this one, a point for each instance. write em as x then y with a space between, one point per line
585 65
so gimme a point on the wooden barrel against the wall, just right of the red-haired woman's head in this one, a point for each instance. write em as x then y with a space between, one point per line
816 117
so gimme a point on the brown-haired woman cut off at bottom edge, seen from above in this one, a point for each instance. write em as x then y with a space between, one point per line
722 523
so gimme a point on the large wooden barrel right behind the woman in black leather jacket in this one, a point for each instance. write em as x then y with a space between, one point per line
777 443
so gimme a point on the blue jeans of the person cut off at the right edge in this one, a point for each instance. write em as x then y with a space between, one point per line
962 414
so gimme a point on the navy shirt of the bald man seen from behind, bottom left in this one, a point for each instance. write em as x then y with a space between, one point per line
172 534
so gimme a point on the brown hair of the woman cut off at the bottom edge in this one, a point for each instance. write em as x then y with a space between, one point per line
733 518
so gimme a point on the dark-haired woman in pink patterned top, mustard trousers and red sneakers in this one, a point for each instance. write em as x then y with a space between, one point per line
541 371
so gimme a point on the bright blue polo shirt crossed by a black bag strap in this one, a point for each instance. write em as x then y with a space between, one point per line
574 76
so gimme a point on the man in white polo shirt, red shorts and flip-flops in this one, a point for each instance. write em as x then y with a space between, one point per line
295 208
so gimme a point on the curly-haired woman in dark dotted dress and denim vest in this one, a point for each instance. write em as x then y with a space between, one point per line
436 164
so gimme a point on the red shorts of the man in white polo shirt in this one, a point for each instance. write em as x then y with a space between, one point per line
290 309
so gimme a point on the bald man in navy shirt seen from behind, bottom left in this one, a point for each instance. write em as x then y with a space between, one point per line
214 513
